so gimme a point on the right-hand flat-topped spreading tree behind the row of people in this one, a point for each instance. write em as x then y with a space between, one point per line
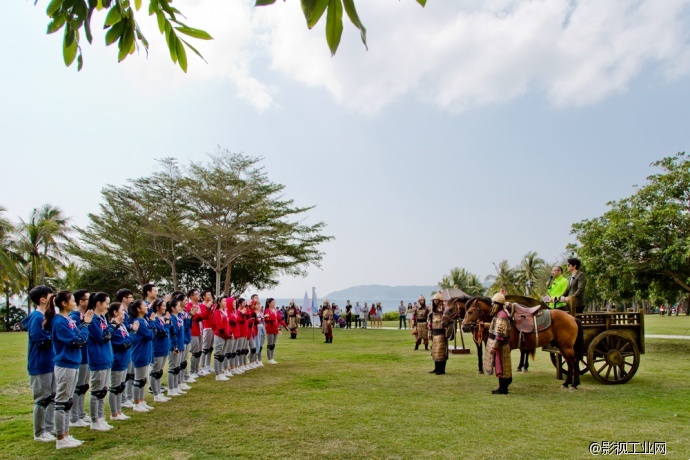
233 211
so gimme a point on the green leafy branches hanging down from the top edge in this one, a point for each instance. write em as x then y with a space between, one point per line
73 17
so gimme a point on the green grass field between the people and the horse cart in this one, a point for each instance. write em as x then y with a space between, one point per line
368 395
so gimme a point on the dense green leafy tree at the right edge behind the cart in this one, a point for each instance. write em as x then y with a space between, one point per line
641 246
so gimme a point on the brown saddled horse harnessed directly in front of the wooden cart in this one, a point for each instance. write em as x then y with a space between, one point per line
565 333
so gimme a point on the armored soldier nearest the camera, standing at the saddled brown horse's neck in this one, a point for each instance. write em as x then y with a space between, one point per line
498 346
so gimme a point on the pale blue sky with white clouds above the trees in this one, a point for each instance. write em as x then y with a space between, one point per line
465 135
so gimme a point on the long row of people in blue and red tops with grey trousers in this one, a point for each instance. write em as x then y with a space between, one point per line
80 341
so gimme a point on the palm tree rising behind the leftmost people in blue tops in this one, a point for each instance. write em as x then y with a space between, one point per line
39 243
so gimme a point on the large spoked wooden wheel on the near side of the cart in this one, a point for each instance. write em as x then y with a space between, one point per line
613 357
